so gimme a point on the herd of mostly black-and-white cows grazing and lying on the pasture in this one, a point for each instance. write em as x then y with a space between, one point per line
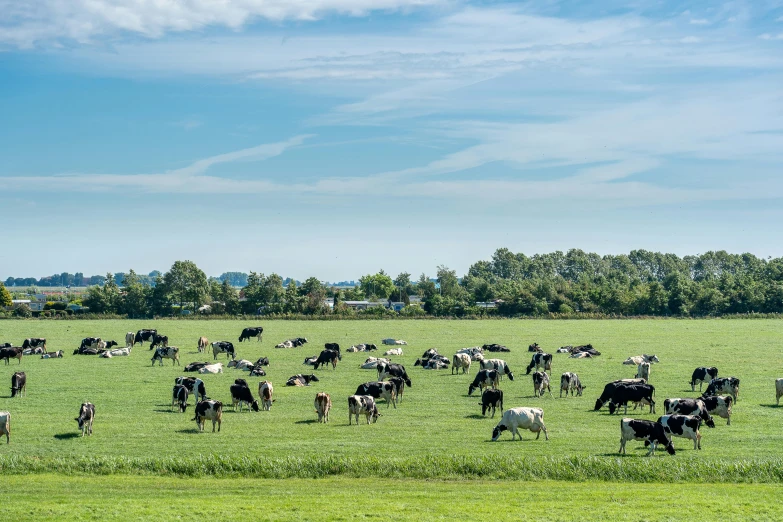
683 416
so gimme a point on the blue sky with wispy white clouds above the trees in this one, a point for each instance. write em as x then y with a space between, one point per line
336 137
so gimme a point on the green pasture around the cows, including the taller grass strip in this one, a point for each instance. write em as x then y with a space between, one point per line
436 431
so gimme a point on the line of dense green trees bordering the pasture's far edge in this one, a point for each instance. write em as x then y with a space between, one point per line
509 284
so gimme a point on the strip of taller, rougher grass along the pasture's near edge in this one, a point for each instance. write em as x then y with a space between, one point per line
573 468
